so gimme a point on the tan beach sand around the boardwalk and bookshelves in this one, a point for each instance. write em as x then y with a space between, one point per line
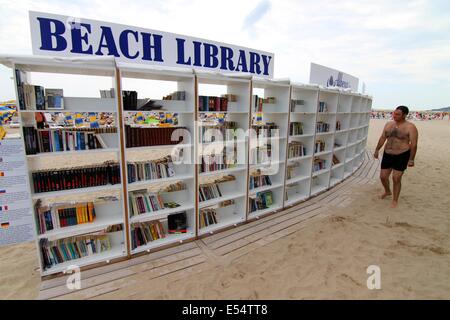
328 258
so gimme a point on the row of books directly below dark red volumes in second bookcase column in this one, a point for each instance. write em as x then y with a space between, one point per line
150 170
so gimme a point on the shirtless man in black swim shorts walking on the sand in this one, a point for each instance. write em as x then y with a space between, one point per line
399 152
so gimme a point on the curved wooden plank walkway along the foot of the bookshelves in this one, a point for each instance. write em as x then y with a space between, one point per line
184 260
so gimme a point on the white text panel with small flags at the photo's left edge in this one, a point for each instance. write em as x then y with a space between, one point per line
16 215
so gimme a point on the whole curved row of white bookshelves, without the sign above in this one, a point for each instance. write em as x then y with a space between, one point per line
162 176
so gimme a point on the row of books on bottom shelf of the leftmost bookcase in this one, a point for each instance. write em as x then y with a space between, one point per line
59 251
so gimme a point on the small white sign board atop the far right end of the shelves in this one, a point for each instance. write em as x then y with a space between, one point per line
329 77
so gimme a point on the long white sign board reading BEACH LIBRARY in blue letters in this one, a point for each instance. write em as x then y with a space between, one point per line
58 35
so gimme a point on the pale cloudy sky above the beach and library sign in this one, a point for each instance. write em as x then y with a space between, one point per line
399 49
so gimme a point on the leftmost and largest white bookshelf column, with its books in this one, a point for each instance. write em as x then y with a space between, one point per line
52 151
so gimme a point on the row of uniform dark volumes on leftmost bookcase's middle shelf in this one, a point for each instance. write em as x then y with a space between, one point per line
74 178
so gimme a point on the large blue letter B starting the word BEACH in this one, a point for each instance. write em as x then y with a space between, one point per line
47 34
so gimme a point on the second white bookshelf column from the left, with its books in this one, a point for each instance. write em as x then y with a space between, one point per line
178 188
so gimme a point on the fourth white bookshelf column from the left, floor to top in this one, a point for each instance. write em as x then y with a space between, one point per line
268 141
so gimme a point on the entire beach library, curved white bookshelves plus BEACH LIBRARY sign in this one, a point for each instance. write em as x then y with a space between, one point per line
114 173
